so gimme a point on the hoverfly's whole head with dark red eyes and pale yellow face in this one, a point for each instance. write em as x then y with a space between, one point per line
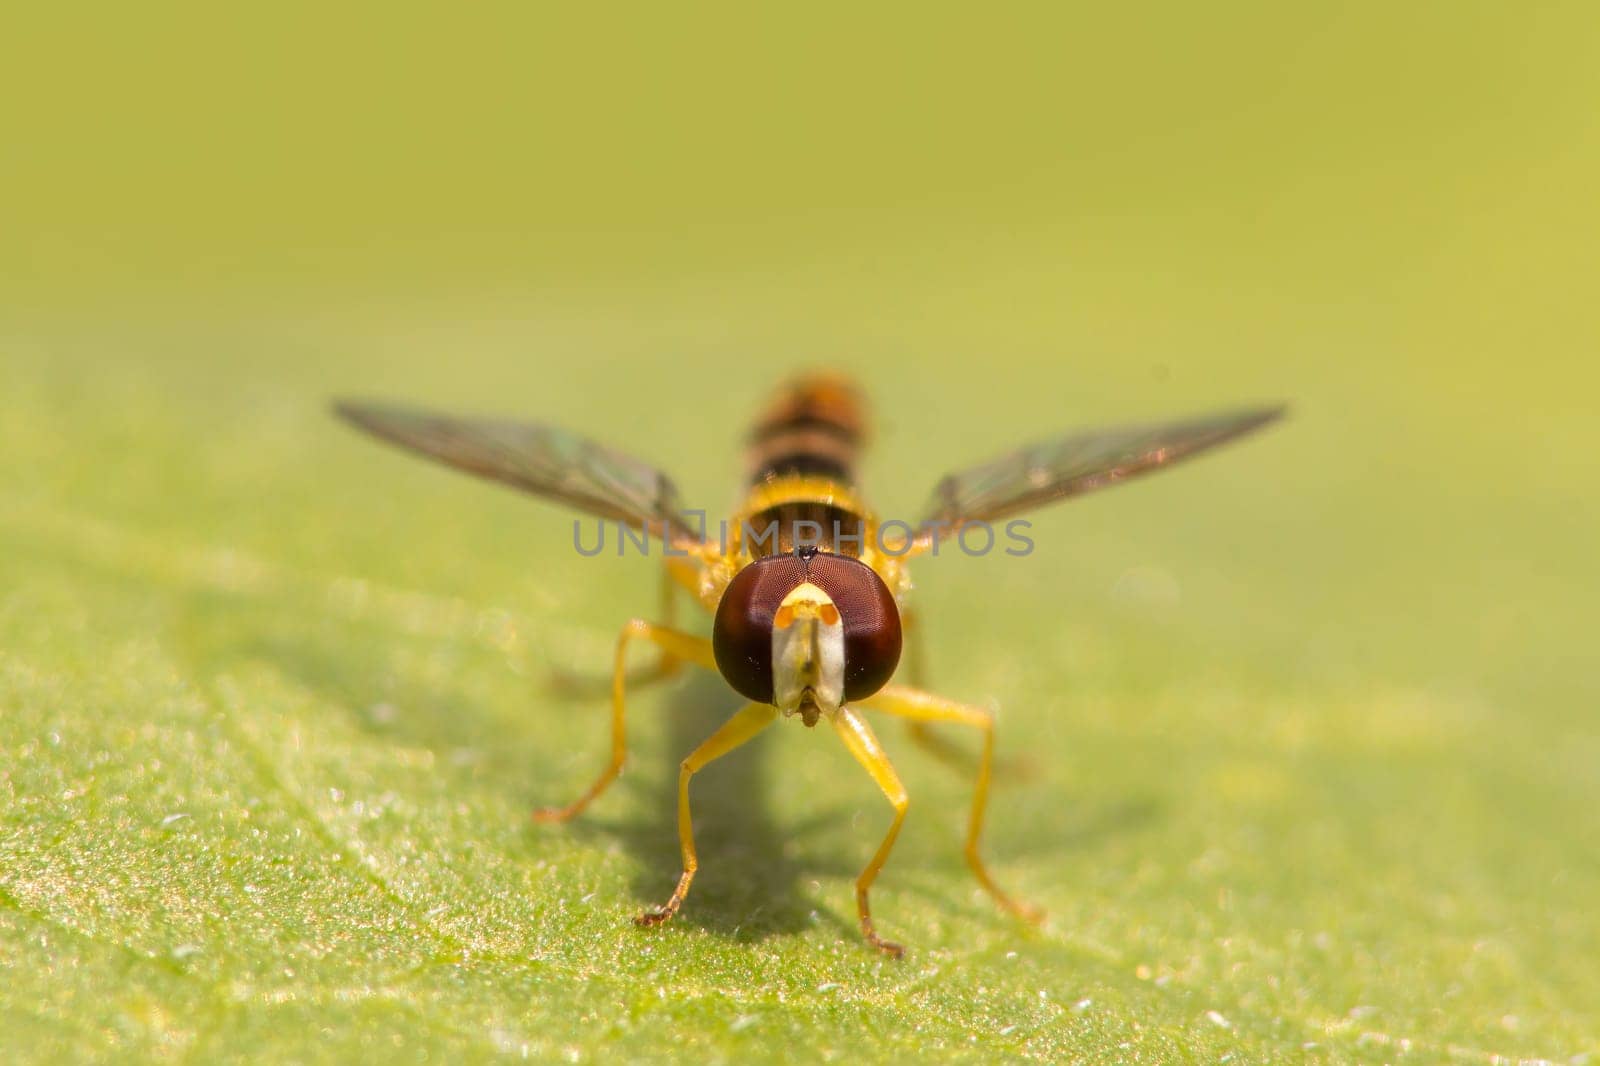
807 633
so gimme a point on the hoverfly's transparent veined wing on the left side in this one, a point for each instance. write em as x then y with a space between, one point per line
542 460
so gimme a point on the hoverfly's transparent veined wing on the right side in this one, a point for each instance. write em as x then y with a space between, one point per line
1076 465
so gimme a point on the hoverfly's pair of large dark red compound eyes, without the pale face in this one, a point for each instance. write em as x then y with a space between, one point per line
743 631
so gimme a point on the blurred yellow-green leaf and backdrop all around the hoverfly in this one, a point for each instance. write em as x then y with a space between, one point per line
1310 727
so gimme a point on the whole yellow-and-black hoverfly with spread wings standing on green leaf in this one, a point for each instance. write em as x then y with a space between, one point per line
802 627
